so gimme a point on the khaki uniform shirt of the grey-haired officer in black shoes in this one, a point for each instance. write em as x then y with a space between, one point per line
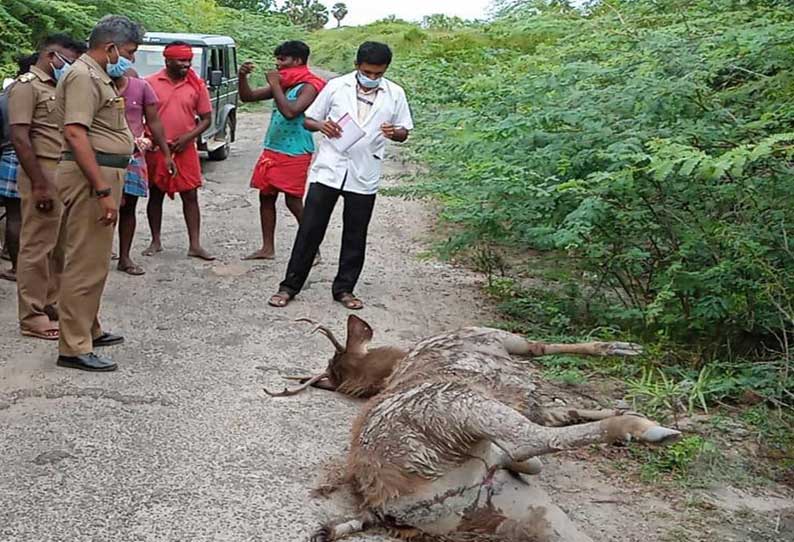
87 96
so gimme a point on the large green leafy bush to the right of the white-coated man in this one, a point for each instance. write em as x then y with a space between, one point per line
650 142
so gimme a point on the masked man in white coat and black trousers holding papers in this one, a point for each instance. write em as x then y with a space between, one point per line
380 108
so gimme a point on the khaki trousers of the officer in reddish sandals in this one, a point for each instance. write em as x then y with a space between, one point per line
40 260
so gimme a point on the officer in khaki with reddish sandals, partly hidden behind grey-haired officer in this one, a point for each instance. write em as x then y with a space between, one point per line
37 141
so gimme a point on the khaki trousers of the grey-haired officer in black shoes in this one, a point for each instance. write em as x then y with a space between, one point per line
88 246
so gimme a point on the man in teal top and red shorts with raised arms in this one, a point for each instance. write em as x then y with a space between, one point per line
288 148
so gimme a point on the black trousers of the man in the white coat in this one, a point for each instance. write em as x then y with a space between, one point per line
319 205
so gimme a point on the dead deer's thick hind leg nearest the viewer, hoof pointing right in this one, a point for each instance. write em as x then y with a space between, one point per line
522 439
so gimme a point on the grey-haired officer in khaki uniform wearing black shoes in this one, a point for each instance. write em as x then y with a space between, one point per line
90 178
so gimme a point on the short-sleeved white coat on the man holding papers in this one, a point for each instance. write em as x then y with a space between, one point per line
362 162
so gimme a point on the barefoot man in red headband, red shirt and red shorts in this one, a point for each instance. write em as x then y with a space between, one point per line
182 97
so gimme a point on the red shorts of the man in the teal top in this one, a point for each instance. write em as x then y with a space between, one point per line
276 172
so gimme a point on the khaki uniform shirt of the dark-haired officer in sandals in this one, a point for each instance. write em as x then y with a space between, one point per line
31 101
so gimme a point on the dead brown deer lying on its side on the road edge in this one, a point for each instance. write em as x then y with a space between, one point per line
443 416
